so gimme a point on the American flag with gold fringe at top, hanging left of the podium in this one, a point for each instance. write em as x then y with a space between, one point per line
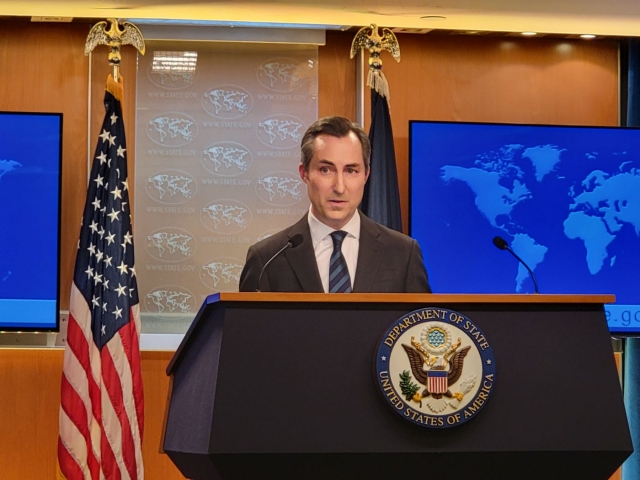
101 405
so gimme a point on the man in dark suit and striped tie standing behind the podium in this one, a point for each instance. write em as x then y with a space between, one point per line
335 247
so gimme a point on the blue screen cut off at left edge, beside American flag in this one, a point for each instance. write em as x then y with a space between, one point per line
30 181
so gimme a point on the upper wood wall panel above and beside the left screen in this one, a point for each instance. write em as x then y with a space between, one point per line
44 70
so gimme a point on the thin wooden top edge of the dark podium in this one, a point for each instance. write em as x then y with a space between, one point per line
438 298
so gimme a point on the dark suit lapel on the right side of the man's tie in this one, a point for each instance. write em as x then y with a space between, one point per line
370 255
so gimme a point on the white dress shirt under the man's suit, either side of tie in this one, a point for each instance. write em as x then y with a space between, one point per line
323 246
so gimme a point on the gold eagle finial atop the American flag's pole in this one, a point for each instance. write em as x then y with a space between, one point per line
113 34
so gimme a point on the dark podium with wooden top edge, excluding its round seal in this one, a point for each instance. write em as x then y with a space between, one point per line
282 386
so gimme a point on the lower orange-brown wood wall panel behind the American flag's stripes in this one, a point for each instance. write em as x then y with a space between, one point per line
30 402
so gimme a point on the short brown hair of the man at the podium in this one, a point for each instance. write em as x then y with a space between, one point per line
333 126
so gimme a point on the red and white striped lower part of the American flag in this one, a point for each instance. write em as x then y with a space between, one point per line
101 405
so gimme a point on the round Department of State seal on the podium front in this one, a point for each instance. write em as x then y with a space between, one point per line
435 367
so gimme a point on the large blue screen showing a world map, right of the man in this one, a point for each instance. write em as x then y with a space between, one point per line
565 199
